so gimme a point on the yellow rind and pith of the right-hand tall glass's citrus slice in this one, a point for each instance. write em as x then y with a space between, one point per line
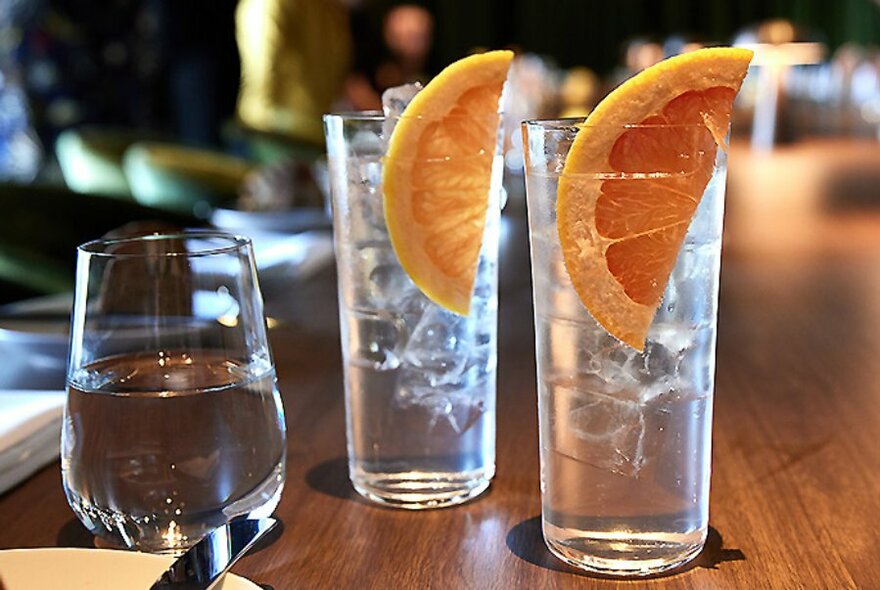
588 160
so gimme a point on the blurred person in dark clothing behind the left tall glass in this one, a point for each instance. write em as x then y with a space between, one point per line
408 33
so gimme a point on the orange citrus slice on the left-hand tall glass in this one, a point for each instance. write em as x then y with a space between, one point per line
436 177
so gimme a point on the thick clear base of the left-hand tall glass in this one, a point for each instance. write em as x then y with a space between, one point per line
414 490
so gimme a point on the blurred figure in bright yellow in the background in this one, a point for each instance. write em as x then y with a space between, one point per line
295 57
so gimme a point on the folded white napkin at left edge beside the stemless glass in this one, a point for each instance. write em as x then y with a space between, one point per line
30 433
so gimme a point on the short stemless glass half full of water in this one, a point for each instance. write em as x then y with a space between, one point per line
173 423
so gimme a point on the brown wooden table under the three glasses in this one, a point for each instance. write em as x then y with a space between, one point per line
796 478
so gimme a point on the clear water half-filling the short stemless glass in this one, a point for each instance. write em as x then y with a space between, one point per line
159 448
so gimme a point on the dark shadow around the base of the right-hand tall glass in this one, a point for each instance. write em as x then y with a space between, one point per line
526 542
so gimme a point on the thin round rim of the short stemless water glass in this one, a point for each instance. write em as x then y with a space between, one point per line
98 247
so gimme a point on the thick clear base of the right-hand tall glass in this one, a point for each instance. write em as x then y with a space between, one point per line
626 556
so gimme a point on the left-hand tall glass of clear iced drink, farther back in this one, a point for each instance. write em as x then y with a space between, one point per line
419 380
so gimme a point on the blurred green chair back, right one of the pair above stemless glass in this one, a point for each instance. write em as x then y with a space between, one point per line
183 179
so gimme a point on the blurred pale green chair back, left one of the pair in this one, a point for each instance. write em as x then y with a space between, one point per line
91 159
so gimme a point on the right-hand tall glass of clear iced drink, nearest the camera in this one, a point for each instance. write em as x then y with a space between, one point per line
625 435
